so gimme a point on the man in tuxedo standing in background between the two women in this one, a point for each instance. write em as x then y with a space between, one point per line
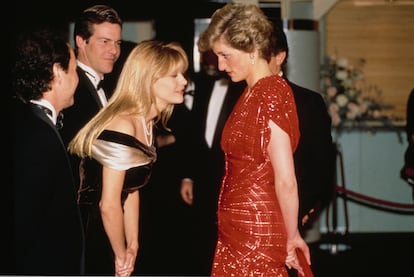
213 98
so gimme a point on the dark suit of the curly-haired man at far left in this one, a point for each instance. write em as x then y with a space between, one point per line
48 227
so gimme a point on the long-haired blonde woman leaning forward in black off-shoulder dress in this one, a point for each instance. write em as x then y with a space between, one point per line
117 151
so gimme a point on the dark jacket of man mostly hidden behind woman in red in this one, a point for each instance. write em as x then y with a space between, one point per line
315 155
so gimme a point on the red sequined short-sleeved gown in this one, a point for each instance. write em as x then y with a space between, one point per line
252 236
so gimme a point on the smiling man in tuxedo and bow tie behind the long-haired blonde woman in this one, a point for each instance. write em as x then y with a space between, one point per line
97 37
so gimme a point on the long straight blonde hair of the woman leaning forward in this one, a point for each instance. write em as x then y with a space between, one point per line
147 62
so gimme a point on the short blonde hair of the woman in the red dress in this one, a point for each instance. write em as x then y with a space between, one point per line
243 26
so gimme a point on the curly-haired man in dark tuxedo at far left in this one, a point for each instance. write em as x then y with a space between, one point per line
48 235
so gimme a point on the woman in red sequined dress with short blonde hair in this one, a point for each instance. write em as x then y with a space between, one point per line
258 204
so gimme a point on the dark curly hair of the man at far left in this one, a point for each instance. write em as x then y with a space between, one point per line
36 53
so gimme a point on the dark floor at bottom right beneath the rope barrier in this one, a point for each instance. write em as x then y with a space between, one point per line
364 254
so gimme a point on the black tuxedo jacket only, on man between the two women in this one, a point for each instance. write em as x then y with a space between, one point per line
208 168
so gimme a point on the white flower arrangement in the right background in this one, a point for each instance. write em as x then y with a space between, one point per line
347 96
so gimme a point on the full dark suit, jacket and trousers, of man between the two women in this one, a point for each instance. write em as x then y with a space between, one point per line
207 166
